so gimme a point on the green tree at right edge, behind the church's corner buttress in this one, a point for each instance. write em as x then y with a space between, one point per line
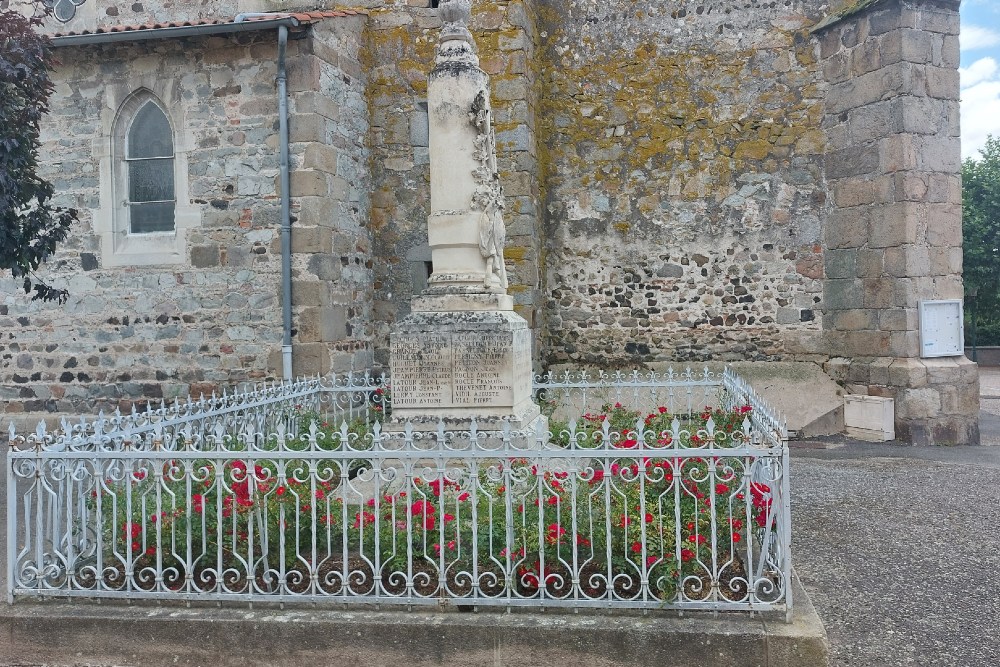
981 240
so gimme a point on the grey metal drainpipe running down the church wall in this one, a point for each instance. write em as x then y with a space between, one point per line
286 219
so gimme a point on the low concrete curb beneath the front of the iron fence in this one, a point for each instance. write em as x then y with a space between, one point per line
110 634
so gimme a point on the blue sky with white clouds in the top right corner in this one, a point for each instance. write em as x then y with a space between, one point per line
980 73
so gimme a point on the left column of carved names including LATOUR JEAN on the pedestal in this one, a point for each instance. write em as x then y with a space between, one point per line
421 371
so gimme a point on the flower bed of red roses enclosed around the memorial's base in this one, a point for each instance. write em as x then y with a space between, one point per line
619 508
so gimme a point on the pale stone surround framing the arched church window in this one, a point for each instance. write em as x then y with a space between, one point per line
119 247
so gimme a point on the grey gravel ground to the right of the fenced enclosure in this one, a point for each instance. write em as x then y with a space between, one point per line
897 547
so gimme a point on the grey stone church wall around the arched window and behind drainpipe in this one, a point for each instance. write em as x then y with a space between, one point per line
212 316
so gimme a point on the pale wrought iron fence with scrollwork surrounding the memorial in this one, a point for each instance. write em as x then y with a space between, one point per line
261 497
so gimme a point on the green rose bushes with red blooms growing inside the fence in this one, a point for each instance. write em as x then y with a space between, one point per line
303 522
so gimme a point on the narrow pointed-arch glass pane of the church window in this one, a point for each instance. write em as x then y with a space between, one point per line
149 166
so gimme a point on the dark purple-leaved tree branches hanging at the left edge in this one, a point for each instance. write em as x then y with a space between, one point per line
30 226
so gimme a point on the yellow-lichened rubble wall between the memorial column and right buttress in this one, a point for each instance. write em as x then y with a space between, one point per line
684 184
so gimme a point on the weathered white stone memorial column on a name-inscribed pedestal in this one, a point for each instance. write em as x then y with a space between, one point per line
463 352
